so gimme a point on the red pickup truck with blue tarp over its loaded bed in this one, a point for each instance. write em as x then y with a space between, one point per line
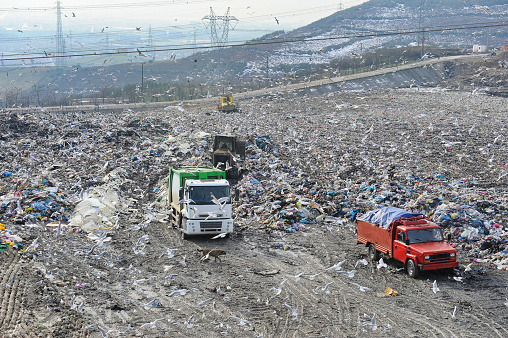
407 237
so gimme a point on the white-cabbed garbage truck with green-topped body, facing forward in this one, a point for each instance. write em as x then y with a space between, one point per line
200 202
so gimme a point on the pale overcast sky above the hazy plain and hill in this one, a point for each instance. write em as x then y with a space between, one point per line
90 15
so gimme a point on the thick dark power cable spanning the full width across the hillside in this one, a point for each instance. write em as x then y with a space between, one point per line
274 41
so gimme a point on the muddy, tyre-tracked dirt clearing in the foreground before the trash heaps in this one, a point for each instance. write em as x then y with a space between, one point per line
251 292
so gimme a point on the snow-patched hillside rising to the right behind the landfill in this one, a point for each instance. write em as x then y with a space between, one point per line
345 35
